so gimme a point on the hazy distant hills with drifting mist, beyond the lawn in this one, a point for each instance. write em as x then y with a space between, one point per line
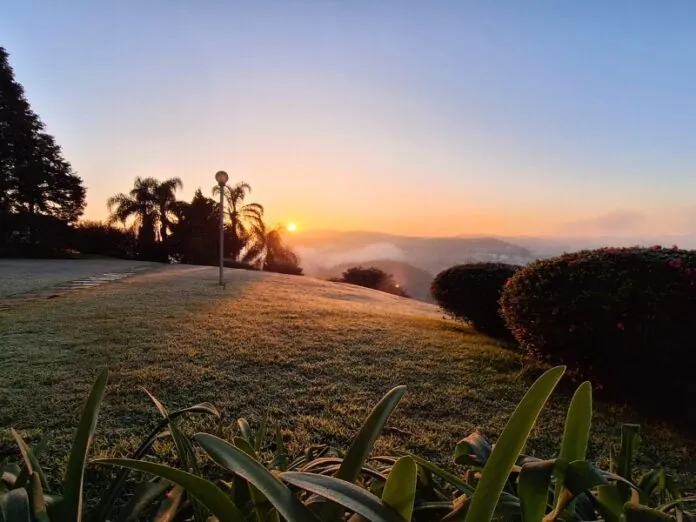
320 250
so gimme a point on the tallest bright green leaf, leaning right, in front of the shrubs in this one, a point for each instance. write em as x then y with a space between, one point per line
507 449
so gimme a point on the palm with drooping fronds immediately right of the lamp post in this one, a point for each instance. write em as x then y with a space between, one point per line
245 226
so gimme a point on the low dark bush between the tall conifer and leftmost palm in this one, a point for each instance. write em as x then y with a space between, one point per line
93 237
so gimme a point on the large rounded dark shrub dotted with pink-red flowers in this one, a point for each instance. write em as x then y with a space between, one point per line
624 316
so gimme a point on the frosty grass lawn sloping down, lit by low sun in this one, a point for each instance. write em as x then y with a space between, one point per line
315 355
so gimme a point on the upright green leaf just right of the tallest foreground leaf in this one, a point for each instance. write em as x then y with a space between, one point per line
576 433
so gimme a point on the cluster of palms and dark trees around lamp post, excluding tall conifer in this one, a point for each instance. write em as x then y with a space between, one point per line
164 228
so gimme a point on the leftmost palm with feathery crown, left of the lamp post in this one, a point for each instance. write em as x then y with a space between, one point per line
150 204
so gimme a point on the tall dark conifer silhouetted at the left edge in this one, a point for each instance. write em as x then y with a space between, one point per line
35 178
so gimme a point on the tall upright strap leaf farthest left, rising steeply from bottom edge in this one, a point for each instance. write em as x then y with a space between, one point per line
71 505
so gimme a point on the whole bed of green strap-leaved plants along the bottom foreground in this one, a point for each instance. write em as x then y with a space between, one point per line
326 485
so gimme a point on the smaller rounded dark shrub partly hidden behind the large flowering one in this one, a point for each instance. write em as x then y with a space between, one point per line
471 293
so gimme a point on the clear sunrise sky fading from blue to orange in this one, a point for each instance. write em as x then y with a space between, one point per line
430 118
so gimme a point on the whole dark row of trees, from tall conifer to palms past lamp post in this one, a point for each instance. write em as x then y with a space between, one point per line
42 200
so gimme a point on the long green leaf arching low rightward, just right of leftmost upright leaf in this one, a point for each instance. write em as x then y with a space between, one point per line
203 490
